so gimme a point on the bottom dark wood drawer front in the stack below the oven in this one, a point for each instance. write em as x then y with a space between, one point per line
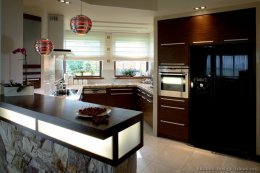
173 131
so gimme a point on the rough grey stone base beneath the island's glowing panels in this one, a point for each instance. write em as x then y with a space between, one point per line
23 151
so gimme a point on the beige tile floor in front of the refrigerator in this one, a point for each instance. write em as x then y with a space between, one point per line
161 155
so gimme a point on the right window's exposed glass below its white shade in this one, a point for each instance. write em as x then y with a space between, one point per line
131 68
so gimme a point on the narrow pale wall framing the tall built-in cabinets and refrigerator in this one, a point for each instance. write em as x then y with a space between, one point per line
257 6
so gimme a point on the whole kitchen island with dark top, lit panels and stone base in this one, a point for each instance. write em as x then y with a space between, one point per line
45 133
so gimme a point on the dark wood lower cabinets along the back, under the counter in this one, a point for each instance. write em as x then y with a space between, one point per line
123 97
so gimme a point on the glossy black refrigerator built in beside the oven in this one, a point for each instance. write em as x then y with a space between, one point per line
222 98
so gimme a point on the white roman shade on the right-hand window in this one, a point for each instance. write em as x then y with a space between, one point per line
133 47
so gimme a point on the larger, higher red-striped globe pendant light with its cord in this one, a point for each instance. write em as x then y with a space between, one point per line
80 24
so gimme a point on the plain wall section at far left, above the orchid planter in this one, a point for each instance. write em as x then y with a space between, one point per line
12 38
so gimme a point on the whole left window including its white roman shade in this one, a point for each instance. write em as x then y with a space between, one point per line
88 53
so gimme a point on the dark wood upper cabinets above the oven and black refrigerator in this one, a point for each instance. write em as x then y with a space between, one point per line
175 35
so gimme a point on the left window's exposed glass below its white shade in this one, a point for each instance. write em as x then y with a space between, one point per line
83 68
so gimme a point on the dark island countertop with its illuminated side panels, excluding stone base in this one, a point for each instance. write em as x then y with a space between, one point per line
38 111
